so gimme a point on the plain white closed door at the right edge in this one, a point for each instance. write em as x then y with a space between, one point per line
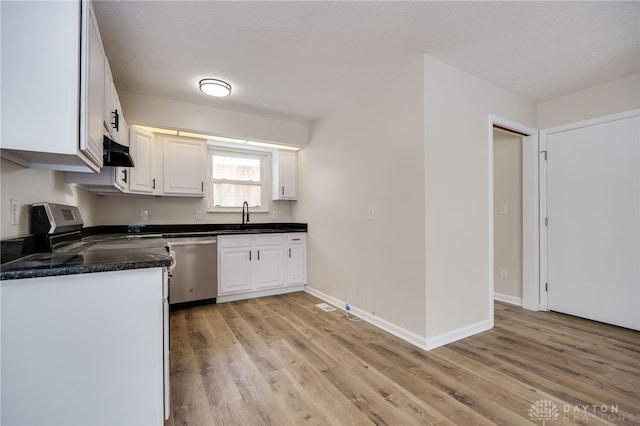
593 232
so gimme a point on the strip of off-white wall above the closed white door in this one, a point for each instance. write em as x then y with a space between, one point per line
616 96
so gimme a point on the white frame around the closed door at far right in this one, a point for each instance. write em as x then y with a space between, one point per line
544 300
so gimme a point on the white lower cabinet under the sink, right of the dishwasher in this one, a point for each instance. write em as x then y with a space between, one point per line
260 265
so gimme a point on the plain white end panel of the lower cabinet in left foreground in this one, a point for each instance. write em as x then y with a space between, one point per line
84 349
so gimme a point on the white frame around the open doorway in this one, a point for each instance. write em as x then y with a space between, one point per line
531 289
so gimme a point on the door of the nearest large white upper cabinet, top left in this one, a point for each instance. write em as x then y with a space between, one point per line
92 90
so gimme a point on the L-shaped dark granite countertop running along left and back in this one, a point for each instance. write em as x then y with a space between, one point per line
115 248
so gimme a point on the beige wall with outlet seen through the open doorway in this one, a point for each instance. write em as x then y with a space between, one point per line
507 191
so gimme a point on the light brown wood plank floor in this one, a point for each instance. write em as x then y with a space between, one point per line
282 361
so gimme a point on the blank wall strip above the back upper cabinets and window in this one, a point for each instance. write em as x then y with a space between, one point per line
158 112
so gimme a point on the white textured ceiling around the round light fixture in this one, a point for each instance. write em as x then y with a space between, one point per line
298 60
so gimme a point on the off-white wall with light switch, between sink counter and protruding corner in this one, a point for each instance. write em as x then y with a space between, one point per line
368 153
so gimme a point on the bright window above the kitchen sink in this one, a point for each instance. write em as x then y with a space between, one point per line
238 176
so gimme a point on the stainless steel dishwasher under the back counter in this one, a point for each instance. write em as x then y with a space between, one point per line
195 275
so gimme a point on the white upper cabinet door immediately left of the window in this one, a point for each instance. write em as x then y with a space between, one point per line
184 166
